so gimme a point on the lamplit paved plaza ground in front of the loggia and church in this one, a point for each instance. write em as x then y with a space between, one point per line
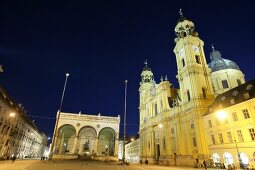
78 165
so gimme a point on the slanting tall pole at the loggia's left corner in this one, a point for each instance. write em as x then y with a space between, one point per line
59 111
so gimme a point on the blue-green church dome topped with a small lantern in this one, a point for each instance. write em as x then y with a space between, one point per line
218 63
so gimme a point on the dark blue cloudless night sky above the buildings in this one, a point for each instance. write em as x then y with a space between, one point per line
102 43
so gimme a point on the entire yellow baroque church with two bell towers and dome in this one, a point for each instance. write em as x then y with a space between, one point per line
172 127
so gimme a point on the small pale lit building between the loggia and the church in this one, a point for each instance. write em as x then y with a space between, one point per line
132 151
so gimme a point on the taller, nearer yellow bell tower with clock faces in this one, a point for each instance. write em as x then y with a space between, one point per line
193 71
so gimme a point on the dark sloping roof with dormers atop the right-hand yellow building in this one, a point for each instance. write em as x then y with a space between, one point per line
234 96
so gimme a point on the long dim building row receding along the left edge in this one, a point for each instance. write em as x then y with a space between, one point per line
19 135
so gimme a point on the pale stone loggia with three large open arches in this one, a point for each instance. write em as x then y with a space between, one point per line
78 134
